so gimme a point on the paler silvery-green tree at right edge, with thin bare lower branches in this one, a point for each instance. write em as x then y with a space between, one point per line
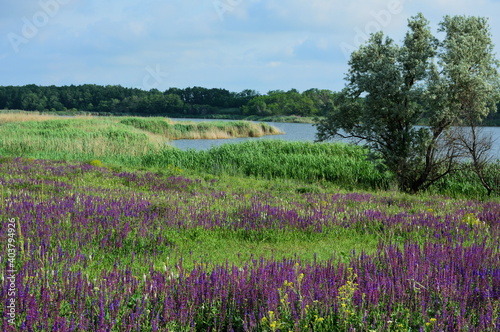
470 84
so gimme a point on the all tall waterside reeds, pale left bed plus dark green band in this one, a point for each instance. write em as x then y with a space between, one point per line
141 142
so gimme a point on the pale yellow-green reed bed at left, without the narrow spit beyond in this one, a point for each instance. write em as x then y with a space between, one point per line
76 139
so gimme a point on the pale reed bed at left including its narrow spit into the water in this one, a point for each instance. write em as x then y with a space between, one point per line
120 139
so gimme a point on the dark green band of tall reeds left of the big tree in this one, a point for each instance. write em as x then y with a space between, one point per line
341 164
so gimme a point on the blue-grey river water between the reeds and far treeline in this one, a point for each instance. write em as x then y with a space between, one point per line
293 132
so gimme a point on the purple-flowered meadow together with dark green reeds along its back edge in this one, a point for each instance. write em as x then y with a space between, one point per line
165 240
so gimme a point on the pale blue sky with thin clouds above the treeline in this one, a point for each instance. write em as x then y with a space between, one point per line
261 45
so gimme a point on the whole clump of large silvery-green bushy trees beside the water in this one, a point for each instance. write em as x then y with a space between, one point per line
392 88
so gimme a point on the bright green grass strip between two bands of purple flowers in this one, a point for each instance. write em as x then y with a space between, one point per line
200 246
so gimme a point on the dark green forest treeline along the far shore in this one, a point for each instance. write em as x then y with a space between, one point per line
195 101
